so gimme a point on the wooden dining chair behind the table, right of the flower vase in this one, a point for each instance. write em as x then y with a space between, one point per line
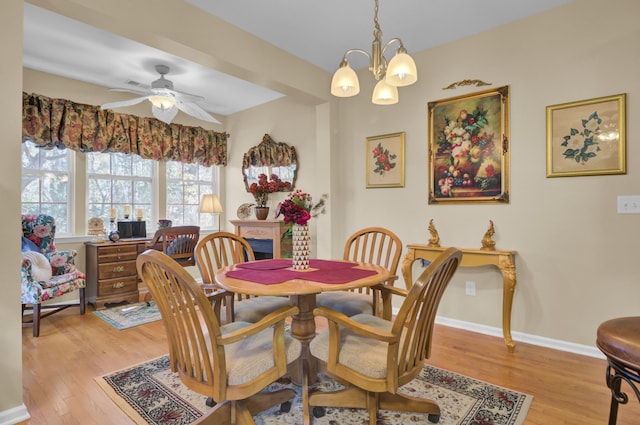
375 245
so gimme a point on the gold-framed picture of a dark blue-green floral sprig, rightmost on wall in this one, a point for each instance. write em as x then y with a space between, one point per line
587 137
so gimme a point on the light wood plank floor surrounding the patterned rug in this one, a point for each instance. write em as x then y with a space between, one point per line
59 369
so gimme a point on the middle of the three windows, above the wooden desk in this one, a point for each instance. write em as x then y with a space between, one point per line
119 181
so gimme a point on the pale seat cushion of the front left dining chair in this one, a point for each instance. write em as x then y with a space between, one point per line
252 356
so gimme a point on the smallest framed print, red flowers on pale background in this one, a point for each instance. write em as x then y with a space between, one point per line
385 160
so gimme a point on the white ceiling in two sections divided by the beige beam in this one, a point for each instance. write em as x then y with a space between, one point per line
316 31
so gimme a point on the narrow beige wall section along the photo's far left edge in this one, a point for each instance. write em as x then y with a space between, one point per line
11 407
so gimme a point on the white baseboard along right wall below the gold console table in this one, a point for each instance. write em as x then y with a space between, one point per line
556 344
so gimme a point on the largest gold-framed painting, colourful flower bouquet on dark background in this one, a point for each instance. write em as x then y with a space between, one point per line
469 148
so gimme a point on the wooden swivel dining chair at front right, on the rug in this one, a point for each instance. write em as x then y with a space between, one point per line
374 356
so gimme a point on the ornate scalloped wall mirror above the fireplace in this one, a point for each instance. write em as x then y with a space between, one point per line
269 158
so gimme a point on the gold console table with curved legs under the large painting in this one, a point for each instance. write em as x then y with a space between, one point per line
503 260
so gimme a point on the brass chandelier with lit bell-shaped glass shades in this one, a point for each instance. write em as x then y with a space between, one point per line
399 72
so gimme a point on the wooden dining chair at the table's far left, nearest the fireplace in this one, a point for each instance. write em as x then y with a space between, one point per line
221 249
